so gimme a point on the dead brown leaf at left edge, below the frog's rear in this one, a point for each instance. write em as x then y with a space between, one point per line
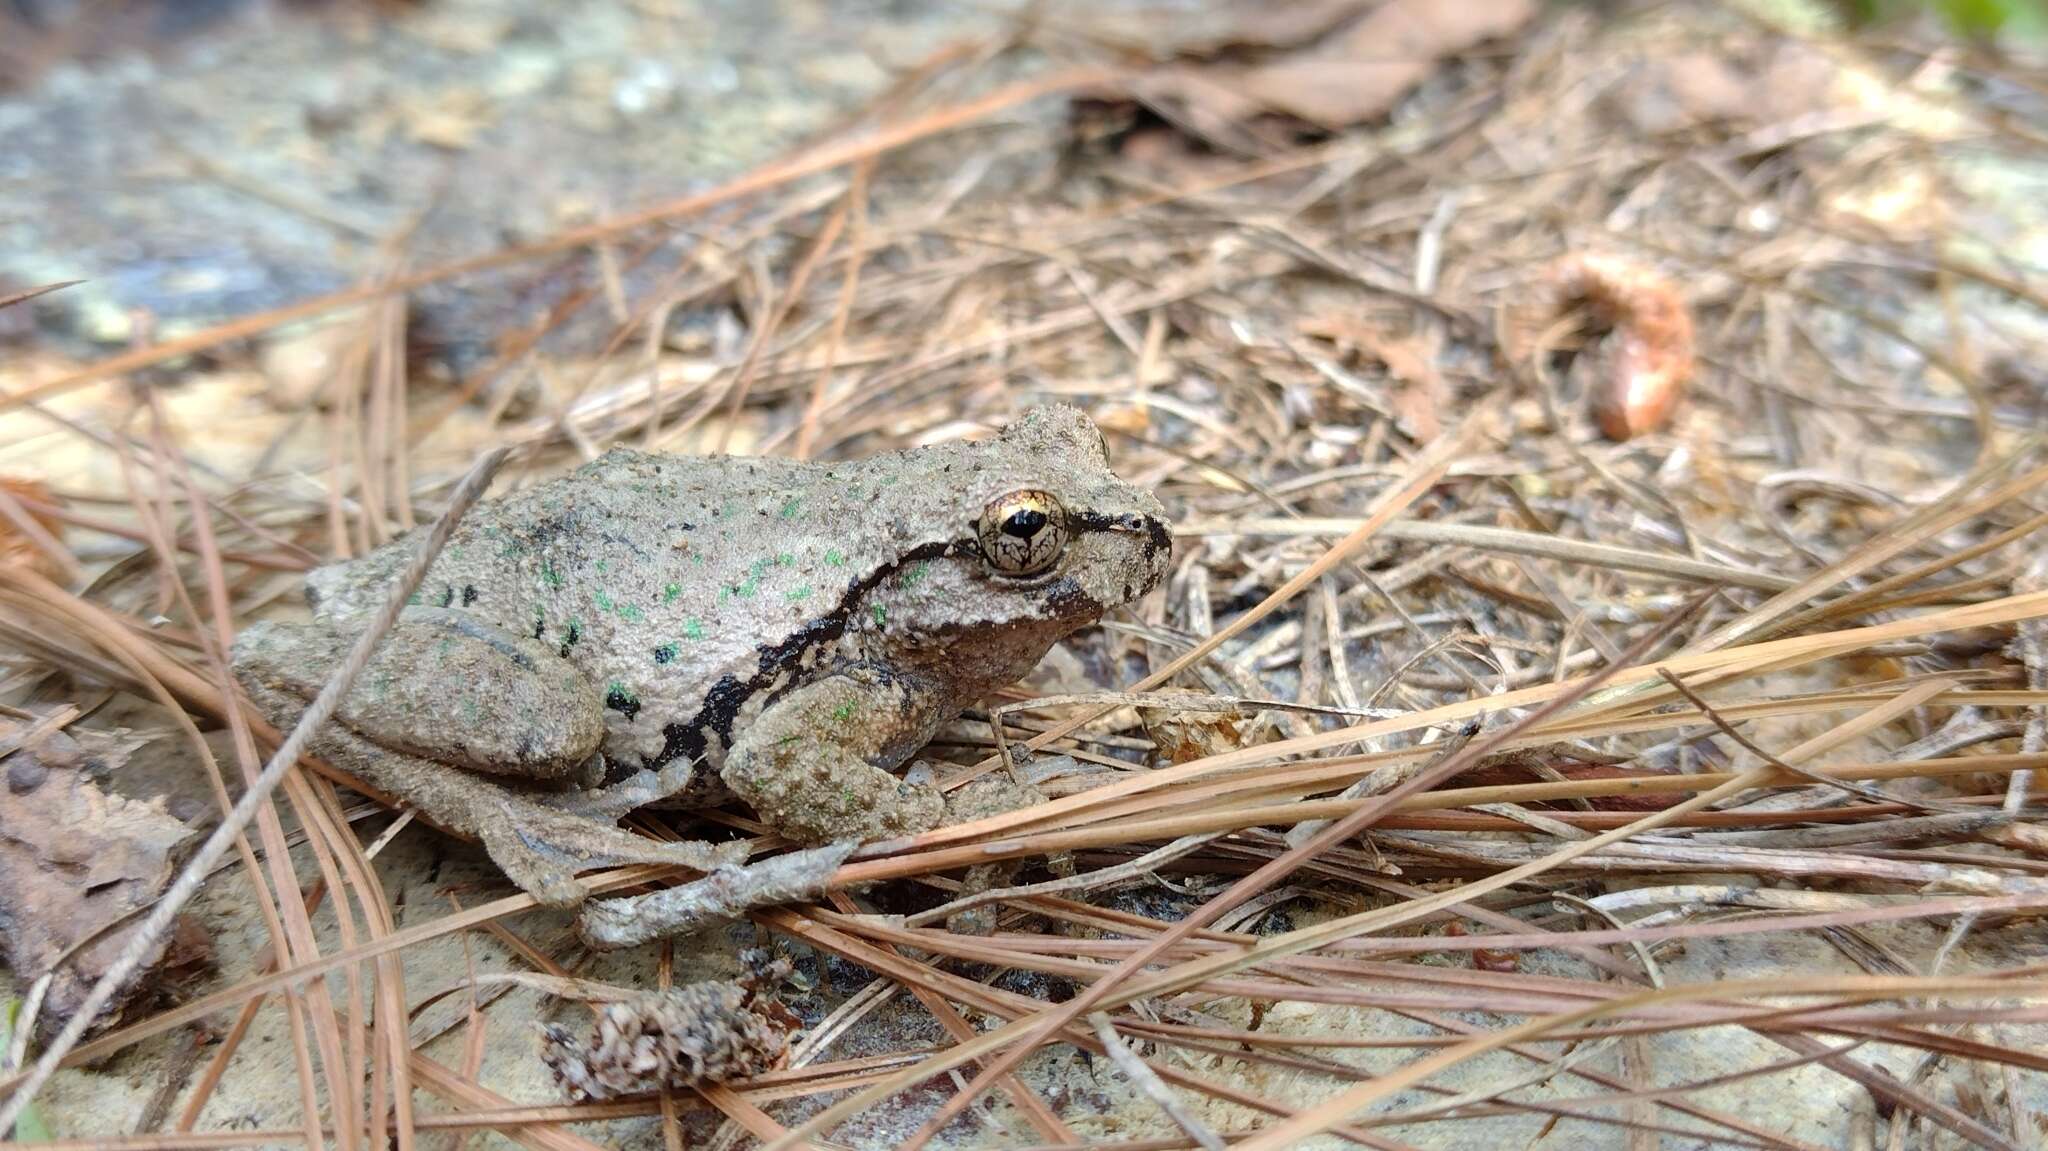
77 861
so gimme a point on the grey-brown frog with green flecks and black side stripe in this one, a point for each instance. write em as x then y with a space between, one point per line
673 630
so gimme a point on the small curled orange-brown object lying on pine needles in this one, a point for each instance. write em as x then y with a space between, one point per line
1652 347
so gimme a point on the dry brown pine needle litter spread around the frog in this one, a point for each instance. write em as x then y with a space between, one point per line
1498 687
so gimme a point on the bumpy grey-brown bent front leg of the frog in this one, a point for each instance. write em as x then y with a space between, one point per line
816 763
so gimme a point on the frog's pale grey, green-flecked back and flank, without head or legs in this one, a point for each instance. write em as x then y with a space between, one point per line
658 577
